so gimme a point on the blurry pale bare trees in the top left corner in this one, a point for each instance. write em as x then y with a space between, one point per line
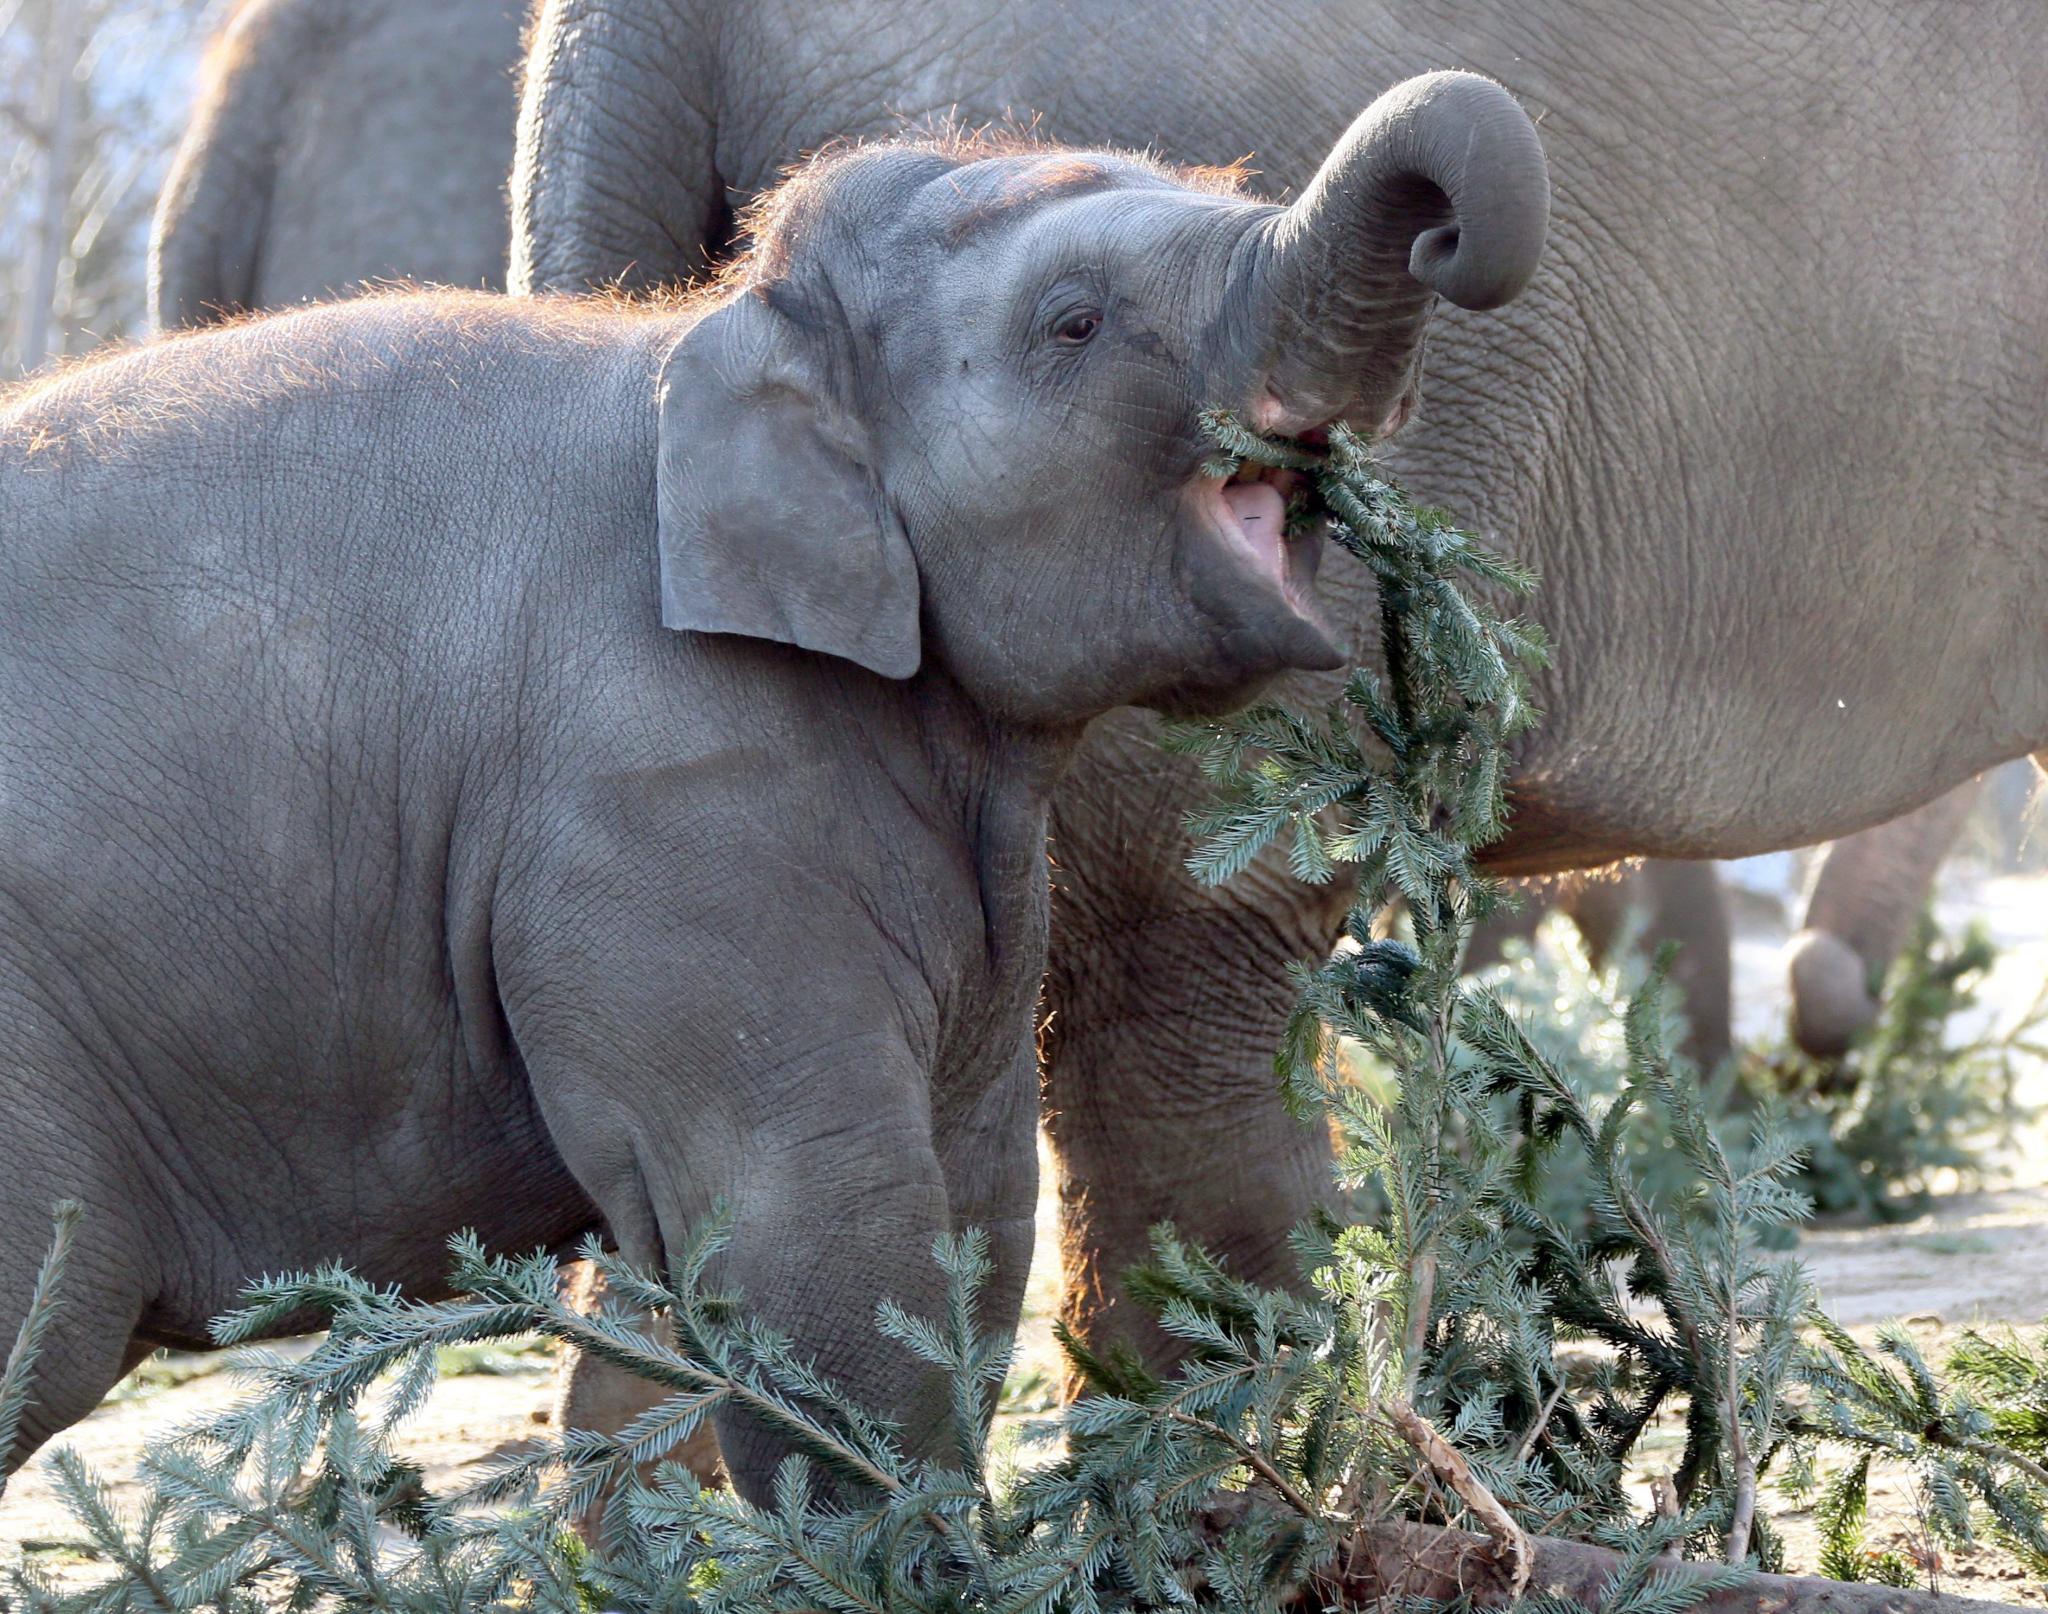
93 95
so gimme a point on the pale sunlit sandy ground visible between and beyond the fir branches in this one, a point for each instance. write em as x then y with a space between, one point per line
1973 1259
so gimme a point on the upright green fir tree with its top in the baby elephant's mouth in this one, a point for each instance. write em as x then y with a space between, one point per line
1402 785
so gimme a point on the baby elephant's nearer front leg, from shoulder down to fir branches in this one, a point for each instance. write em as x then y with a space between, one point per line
677 1068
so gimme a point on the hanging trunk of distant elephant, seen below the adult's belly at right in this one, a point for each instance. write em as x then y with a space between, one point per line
1861 910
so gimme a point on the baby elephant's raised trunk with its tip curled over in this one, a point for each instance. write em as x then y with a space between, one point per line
1437 192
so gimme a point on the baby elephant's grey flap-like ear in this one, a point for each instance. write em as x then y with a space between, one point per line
771 521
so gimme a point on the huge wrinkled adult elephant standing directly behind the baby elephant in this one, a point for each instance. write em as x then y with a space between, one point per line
1773 423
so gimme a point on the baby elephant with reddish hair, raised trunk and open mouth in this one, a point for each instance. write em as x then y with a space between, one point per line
556 765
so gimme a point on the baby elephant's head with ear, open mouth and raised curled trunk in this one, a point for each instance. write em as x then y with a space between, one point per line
947 411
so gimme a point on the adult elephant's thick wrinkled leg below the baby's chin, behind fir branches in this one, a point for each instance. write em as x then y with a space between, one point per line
1164 1011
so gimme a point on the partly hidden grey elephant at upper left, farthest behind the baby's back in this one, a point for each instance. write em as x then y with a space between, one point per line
339 142
